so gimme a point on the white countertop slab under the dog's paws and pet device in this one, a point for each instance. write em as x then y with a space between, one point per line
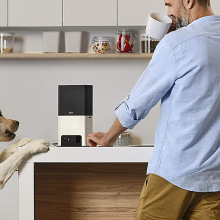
93 155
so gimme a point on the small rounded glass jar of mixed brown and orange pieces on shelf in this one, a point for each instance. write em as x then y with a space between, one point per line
101 44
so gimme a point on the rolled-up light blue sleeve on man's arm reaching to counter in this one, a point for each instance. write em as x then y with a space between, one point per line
157 79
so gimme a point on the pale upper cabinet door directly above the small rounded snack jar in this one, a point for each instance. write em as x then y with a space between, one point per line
89 13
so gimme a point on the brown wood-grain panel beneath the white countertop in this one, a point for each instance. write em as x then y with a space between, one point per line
82 191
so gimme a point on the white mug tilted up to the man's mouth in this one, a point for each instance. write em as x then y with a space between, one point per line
157 25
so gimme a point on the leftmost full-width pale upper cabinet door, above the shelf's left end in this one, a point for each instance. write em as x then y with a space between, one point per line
34 12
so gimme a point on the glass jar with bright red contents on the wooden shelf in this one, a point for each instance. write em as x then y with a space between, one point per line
125 41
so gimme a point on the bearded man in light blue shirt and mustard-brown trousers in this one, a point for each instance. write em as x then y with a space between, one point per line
183 176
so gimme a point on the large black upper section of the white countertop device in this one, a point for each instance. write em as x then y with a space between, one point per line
75 100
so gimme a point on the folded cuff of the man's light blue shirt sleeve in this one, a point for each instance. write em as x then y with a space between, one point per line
124 116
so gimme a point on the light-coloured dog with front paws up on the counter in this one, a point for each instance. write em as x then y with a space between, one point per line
11 157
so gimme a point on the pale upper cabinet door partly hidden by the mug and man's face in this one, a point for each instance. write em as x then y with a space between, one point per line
136 12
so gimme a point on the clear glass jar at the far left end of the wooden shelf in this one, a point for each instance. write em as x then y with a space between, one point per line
7 42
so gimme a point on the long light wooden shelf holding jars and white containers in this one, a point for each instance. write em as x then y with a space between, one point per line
72 56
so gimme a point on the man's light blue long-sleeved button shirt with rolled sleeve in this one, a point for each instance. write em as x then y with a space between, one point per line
184 74
